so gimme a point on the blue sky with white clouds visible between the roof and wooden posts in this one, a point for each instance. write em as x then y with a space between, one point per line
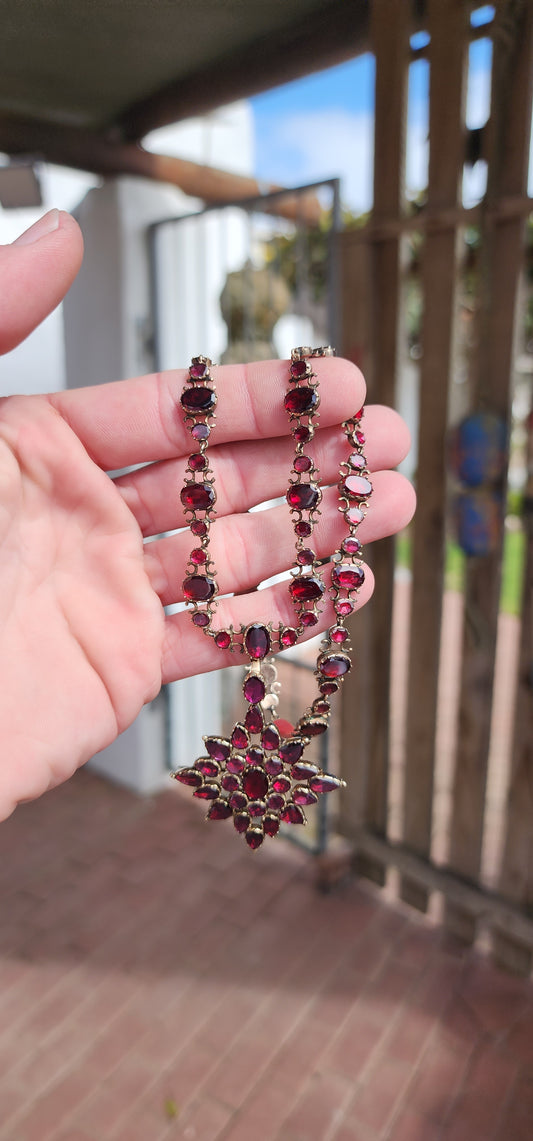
321 126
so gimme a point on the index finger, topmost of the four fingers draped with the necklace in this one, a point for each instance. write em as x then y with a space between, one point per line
141 420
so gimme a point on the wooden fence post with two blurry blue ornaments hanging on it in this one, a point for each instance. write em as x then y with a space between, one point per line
503 241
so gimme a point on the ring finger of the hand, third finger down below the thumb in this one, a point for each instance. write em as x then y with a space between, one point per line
249 548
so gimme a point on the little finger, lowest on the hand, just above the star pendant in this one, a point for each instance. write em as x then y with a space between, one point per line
187 653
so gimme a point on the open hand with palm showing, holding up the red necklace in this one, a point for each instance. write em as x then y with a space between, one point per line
85 641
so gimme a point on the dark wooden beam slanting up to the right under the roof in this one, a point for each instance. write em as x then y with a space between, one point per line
336 33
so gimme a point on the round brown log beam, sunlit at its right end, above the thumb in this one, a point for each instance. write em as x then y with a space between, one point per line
71 147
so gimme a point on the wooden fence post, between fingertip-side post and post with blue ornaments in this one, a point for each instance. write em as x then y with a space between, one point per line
448 26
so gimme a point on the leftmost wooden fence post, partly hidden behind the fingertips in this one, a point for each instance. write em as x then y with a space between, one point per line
391 23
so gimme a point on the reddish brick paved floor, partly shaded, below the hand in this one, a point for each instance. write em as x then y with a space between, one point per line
160 982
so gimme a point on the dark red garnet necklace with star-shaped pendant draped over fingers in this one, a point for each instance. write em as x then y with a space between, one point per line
257 775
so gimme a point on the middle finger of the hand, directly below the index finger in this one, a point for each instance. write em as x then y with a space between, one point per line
248 473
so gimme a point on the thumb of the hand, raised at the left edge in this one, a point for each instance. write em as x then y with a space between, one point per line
36 273
